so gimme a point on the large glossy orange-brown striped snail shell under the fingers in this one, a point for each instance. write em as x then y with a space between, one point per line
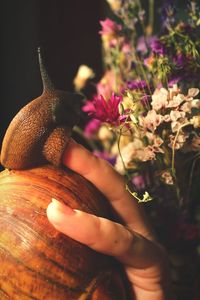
37 261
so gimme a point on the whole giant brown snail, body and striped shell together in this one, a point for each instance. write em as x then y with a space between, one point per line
37 261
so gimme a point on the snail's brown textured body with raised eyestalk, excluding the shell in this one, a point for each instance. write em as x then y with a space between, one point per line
40 131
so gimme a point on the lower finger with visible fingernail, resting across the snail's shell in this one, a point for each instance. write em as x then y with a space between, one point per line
102 235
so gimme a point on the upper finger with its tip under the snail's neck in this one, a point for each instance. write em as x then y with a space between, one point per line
110 183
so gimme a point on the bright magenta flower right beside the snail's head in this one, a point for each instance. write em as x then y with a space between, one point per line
105 111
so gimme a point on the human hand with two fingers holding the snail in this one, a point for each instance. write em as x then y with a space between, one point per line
144 260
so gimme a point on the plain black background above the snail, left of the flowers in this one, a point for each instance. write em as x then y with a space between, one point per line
68 32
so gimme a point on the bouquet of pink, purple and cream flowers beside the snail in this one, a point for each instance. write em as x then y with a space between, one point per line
144 117
